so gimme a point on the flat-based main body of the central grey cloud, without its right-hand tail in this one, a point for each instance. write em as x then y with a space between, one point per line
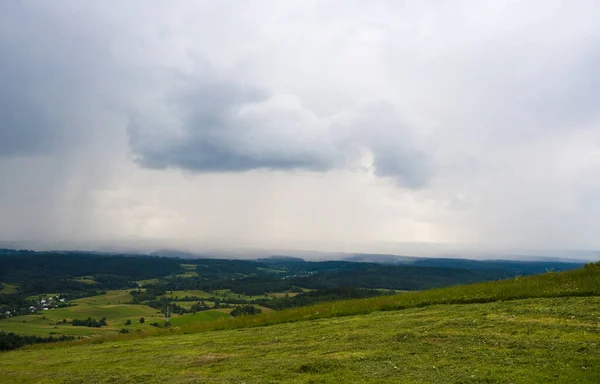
221 127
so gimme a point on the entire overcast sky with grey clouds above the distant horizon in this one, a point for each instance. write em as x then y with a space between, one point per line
324 125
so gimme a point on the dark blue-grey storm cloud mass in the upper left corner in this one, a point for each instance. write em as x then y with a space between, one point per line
51 70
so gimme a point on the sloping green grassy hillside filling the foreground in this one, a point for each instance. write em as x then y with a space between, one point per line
539 329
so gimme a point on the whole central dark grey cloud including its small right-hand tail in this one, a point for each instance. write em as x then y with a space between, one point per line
218 126
